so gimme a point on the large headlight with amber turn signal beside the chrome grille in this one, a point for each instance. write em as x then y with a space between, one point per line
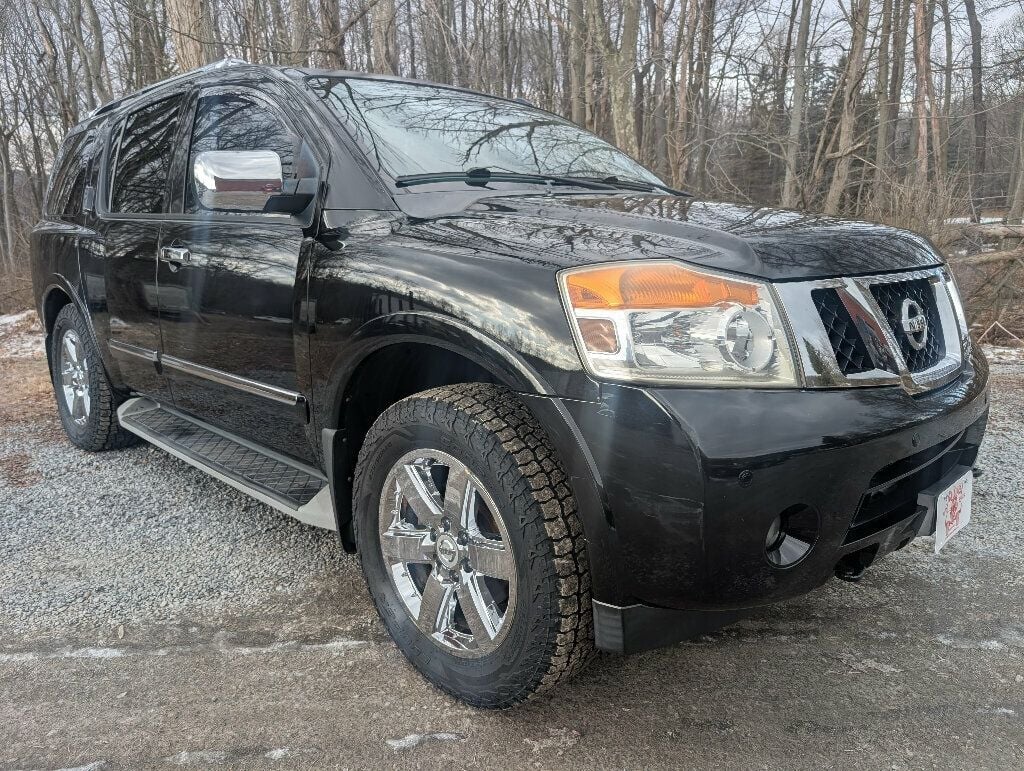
665 323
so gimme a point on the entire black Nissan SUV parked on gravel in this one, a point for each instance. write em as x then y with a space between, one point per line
553 404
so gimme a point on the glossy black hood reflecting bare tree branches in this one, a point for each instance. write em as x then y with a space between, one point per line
773 244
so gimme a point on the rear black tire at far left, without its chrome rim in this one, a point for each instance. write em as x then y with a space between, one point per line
101 431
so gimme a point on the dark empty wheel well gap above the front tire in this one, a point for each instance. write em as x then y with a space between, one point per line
386 377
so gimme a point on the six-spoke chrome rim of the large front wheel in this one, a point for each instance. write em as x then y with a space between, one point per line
448 552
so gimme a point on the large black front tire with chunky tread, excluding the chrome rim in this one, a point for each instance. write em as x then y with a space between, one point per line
487 429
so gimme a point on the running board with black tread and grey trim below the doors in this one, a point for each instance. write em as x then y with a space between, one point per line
288 486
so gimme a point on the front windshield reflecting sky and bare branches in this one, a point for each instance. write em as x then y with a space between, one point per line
417 130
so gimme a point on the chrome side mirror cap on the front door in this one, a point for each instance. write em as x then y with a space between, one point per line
237 181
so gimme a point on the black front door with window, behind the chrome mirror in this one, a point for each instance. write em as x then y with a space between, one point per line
230 292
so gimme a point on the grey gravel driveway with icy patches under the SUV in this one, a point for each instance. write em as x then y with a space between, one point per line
152 617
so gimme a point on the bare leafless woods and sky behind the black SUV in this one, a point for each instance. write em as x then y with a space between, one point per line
908 112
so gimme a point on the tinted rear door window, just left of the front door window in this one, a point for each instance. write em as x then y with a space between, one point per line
144 157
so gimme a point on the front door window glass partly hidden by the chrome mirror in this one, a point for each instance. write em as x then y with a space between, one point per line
238 122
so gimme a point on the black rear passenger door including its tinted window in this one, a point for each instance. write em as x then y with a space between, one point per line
133 204
